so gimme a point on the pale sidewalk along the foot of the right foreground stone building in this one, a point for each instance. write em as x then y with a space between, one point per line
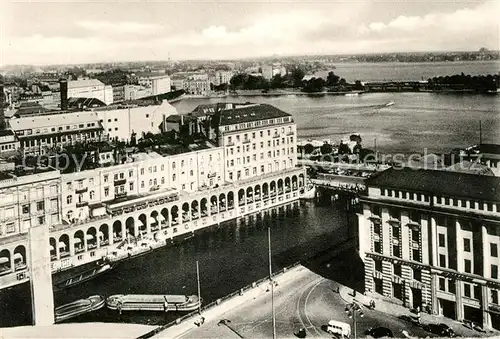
386 307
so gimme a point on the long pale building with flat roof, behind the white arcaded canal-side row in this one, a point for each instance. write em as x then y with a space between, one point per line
39 132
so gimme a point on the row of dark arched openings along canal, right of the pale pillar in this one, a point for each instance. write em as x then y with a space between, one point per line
138 225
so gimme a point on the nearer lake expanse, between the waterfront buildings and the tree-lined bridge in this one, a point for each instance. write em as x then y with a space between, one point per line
417 121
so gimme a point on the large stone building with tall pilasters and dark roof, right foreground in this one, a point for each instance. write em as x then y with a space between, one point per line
431 239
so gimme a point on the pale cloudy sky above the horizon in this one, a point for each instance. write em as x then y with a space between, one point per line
72 32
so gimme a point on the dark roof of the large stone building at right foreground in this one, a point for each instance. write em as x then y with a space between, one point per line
446 183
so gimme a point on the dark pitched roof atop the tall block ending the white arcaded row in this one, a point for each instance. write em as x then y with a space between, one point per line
250 112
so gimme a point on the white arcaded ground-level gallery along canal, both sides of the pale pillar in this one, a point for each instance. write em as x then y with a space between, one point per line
145 221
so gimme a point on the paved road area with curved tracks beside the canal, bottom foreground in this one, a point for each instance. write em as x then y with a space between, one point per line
309 301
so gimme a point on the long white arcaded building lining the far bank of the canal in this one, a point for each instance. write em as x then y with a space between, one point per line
156 195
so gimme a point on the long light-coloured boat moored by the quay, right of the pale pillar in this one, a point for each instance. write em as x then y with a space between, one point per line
153 302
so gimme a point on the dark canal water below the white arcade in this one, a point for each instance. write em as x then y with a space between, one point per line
230 257
